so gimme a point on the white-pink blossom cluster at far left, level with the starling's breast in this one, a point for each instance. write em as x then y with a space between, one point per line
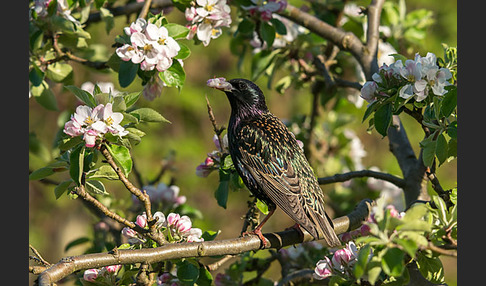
93 123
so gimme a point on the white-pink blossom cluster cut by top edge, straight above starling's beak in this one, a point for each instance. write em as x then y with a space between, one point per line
206 18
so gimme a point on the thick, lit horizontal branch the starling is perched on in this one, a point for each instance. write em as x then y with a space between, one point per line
233 246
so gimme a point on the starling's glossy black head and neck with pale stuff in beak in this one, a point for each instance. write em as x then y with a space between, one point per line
245 97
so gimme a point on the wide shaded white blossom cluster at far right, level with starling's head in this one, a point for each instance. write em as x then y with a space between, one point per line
413 79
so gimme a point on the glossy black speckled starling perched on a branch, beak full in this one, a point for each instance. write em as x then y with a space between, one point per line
270 162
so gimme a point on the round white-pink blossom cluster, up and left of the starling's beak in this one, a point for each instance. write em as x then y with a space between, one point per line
150 46
